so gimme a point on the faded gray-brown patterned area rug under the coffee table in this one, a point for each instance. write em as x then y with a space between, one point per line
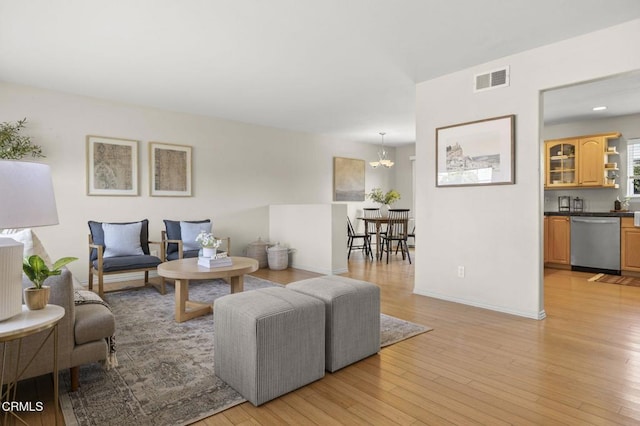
165 374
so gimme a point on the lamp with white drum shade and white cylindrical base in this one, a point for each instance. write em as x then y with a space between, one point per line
26 191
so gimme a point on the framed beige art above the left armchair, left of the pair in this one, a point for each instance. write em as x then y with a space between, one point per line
112 166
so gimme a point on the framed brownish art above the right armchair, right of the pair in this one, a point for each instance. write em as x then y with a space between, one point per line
170 170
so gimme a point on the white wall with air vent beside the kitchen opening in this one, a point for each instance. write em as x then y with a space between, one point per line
495 232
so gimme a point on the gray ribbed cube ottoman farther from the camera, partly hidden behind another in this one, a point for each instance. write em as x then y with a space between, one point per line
352 317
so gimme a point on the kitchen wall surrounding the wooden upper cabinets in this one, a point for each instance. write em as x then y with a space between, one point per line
597 199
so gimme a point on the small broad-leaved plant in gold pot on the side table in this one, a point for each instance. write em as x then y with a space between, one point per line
37 296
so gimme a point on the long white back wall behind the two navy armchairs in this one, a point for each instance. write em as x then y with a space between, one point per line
238 169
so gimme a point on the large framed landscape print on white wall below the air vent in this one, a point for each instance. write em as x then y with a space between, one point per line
476 153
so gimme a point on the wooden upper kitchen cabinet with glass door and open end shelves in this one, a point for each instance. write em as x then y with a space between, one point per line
581 161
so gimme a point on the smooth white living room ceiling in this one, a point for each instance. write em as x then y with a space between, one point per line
345 68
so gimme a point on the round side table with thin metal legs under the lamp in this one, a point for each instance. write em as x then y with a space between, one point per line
12 331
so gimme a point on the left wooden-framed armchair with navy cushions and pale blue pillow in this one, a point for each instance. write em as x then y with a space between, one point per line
117 248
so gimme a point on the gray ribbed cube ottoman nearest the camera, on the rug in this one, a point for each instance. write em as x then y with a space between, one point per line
268 342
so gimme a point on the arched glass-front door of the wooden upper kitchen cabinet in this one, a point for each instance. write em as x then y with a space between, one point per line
561 163
